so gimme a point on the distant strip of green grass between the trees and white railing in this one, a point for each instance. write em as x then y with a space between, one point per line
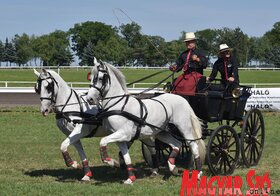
75 75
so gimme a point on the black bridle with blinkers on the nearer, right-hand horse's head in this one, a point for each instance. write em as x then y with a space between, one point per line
105 80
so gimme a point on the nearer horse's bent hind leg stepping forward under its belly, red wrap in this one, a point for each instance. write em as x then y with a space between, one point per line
167 138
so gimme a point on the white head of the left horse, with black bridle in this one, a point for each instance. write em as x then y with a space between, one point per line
46 87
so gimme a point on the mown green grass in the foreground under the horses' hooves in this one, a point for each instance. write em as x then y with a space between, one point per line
31 162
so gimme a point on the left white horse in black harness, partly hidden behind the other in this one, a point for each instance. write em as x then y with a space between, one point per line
70 109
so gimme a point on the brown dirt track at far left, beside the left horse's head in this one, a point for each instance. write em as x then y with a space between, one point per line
17 99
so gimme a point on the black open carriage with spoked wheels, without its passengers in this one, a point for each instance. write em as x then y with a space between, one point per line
239 131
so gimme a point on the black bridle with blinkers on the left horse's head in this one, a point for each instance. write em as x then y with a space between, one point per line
49 88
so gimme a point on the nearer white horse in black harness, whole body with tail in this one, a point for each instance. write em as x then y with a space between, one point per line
130 118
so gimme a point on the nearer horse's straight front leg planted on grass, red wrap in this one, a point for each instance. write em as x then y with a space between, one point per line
130 170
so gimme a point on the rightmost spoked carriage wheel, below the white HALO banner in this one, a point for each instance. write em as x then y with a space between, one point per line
252 137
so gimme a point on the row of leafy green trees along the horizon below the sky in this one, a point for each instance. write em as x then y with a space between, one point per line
126 45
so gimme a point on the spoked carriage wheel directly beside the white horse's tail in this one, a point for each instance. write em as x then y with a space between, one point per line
223 150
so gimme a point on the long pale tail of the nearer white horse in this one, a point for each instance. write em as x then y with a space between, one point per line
196 124
